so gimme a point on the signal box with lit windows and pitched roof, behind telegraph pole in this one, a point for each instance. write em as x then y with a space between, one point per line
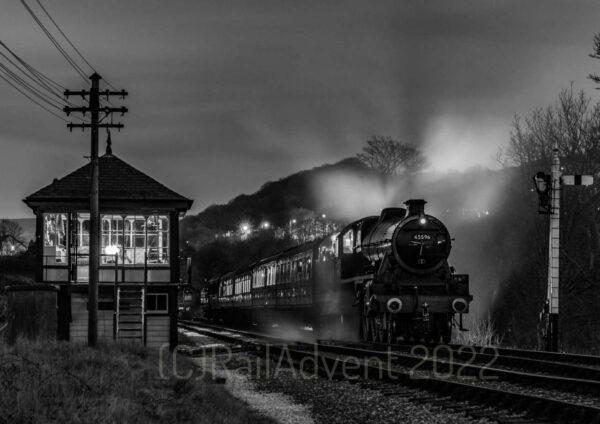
139 253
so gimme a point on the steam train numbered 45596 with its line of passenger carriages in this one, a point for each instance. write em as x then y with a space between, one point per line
380 278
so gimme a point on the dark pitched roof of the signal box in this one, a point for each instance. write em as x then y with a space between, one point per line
121 187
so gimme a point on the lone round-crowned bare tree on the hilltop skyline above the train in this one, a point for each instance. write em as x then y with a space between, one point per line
390 157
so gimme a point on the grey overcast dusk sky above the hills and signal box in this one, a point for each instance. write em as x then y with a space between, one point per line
225 95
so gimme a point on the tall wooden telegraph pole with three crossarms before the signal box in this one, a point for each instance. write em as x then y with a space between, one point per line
94 258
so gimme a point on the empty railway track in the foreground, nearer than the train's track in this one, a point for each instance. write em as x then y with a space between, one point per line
503 395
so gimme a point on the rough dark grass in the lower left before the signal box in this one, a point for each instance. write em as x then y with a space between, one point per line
115 383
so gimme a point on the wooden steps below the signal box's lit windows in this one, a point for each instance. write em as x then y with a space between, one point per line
130 314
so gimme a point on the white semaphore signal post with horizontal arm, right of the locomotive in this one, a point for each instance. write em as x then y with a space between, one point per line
548 188
